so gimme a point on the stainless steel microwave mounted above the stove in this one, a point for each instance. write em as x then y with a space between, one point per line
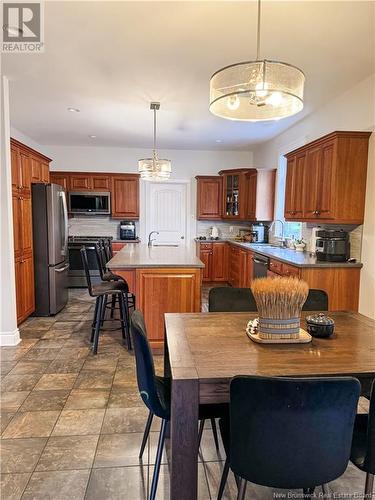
90 202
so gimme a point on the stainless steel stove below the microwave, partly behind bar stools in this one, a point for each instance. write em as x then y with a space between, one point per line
77 277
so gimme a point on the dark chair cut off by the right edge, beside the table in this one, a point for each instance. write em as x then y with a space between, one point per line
363 445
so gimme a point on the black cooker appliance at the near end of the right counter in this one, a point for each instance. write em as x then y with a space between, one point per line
332 245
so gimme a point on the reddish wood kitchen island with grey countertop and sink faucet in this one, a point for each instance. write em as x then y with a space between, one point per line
163 279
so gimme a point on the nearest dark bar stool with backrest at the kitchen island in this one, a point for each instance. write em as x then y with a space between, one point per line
101 292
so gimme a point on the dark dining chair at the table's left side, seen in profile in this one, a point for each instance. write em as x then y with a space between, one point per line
155 392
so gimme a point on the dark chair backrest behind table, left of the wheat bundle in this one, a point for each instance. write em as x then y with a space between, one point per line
228 299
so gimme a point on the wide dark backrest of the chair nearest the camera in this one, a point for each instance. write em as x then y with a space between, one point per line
291 433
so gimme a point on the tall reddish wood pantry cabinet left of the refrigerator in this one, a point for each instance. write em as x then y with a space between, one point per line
28 166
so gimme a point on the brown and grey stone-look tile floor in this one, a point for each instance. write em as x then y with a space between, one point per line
72 423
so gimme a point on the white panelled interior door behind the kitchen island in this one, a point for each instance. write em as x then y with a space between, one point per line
166 212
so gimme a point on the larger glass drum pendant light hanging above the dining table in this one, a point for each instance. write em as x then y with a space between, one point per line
257 90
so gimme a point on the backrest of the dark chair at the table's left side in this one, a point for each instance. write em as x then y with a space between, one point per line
145 366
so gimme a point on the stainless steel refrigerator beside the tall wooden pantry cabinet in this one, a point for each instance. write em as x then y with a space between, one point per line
50 242
